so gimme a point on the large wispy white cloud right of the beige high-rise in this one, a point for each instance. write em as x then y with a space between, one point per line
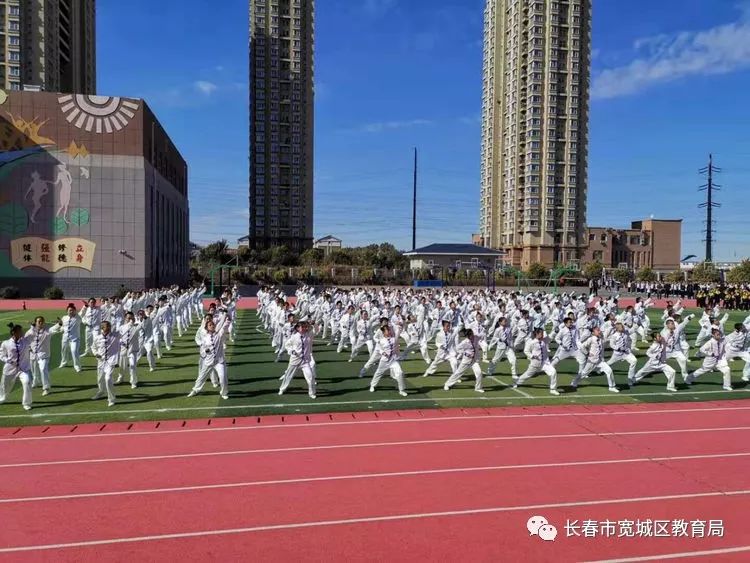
666 58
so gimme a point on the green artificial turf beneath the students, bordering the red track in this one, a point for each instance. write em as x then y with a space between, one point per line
254 384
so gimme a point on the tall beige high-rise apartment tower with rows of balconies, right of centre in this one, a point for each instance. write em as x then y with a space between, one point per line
537 59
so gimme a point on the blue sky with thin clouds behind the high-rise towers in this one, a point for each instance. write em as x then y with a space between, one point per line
669 85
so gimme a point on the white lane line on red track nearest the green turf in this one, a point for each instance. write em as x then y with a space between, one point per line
438 419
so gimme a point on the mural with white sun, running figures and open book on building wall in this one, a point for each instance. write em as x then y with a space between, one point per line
46 187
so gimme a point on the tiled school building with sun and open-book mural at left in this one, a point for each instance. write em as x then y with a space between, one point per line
93 196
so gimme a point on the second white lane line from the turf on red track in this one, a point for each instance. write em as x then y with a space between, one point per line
370 445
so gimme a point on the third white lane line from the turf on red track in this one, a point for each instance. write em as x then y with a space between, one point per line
373 476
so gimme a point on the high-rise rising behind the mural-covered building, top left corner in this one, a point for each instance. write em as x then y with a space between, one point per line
48 45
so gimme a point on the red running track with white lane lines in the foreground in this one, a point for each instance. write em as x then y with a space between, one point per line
454 485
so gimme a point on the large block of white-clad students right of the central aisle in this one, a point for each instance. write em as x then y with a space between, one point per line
582 331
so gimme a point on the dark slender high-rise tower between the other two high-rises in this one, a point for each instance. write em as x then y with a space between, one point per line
281 123
